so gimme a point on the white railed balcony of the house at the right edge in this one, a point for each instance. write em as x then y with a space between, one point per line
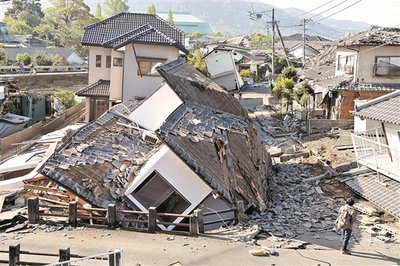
373 152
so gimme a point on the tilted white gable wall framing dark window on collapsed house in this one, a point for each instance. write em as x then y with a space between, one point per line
180 180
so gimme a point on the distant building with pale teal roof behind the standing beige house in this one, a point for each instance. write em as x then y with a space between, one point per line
187 22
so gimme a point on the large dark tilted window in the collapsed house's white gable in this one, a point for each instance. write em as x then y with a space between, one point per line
157 192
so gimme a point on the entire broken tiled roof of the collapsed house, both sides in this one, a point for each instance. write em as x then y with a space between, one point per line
210 132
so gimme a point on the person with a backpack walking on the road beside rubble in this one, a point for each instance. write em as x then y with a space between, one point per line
345 220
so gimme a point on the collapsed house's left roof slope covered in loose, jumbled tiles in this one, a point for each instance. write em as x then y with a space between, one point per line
102 158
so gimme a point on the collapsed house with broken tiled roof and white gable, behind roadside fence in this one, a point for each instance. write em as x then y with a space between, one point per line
188 145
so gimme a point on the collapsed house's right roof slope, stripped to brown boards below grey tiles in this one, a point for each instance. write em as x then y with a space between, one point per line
192 132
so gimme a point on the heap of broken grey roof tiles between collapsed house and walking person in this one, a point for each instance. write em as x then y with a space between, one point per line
303 206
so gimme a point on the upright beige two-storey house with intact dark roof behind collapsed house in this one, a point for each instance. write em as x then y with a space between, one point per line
124 51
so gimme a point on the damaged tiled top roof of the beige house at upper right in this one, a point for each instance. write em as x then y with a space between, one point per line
374 37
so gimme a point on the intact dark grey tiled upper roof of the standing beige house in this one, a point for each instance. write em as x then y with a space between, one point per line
124 28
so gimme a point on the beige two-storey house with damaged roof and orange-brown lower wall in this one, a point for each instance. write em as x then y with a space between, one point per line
362 67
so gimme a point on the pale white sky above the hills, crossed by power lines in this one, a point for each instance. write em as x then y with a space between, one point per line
374 12
